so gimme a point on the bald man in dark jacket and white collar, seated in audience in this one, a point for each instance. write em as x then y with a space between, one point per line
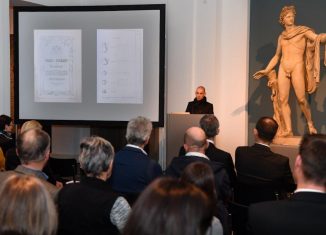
195 144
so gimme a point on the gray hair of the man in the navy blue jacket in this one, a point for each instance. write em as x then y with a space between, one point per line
138 130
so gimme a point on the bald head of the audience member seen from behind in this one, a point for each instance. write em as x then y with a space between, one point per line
195 140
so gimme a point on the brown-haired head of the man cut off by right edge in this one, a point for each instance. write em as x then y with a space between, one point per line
313 154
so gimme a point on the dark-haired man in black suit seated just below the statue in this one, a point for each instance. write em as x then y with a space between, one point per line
257 165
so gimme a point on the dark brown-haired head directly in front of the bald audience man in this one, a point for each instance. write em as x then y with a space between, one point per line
201 175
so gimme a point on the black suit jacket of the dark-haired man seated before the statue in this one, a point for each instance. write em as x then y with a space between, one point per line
259 162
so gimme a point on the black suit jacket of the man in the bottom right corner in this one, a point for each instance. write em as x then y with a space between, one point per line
303 214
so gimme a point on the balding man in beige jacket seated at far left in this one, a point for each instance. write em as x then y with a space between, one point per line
33 149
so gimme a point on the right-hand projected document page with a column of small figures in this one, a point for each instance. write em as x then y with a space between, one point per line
120 66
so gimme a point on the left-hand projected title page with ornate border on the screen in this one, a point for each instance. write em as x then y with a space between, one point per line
57 66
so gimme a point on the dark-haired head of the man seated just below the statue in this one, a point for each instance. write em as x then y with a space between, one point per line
266 128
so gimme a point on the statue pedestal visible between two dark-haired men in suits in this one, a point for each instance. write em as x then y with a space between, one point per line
287 146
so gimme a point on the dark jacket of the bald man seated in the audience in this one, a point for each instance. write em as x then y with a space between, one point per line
178 164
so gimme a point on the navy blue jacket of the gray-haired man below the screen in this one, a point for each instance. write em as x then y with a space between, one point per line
133 171
